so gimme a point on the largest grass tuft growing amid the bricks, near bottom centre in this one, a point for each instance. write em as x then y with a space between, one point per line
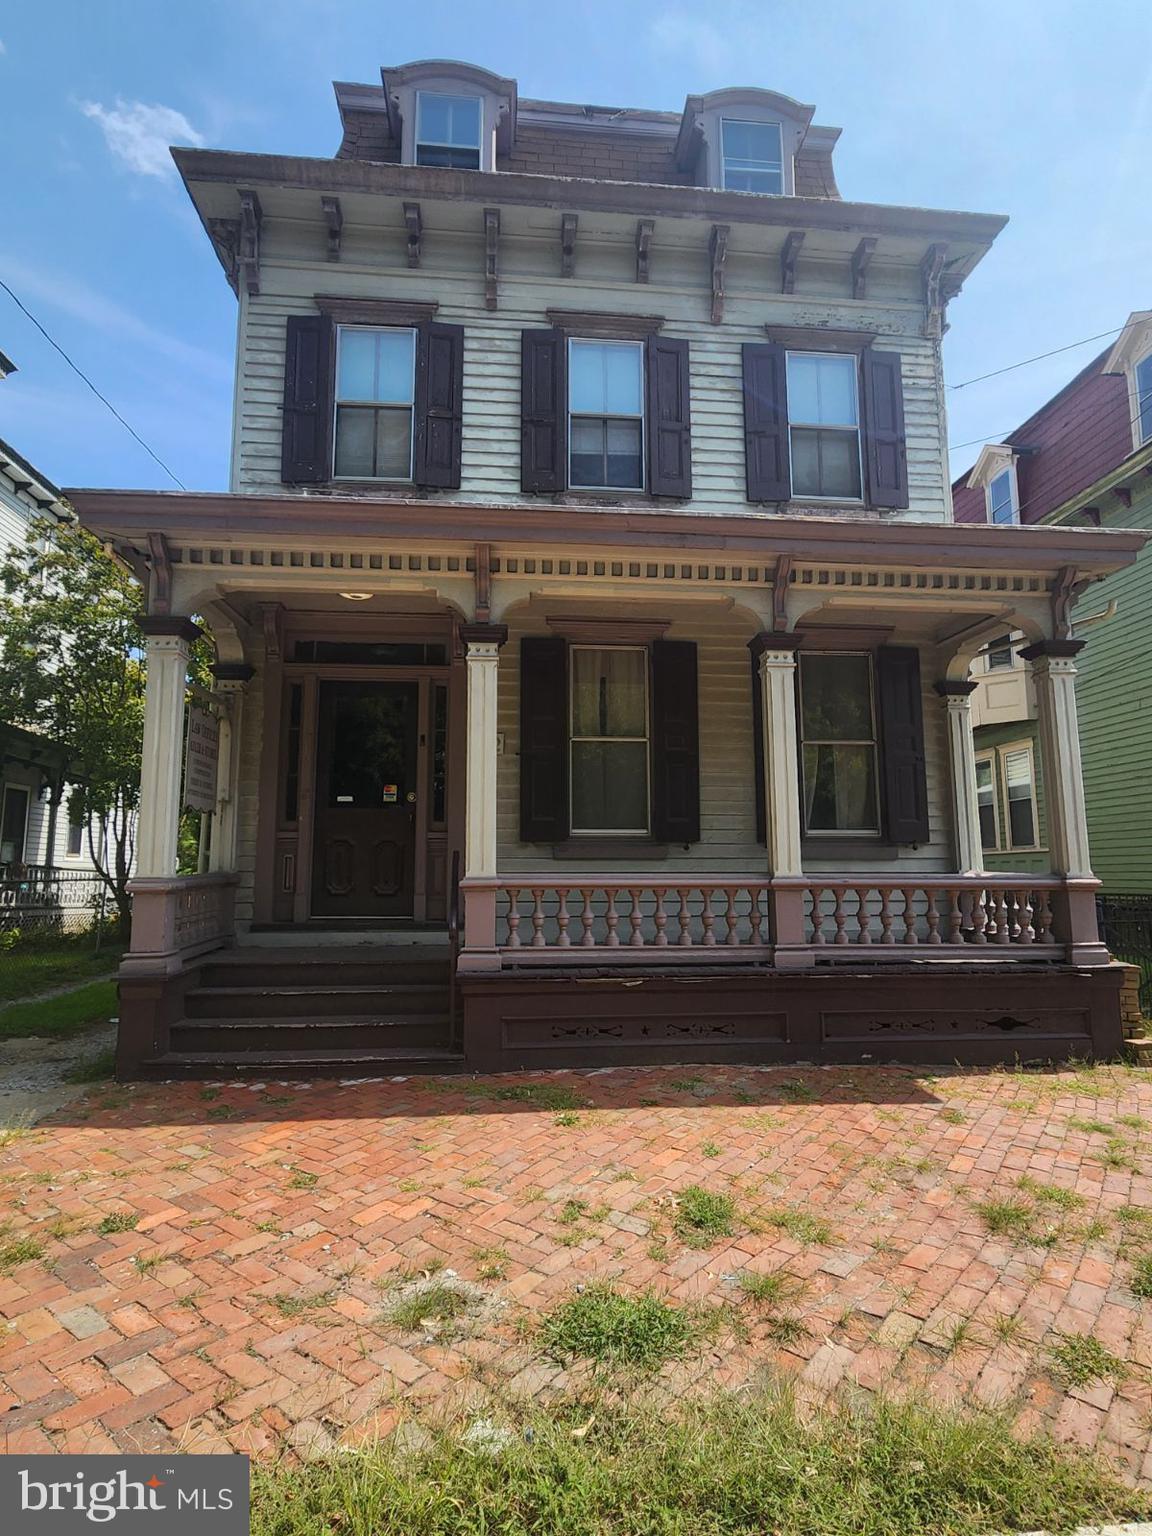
611 1329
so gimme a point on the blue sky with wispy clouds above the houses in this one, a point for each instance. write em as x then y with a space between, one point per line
1036 108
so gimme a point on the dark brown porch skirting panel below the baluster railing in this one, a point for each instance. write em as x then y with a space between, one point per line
933 1013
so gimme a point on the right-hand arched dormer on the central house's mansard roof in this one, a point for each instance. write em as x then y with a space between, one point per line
744 139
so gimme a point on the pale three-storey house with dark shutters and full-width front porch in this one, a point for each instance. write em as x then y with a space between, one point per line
589 609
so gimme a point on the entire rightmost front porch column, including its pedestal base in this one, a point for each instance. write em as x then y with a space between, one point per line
1074 910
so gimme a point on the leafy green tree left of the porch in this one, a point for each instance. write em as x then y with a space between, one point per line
71 670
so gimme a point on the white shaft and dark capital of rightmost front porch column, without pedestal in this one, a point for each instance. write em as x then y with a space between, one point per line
1056 675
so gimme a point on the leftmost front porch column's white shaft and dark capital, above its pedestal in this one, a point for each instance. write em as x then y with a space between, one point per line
161 772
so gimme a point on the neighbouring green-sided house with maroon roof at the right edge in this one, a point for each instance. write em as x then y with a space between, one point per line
1084 460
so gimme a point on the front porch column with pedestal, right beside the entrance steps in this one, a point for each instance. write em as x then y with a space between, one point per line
483 647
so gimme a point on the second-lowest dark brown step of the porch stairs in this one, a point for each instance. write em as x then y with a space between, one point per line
360 1031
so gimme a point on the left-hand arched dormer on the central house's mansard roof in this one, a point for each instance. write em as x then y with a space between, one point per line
446 113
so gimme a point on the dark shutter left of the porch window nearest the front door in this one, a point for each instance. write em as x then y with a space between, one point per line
545 740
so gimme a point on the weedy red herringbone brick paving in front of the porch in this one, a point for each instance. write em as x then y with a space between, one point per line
210 1268
